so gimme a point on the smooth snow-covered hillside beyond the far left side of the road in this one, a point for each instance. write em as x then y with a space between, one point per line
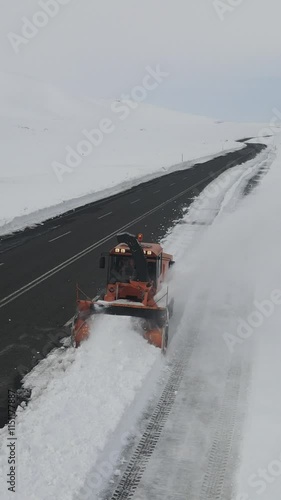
39 126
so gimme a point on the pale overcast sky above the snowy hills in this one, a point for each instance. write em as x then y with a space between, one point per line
226 68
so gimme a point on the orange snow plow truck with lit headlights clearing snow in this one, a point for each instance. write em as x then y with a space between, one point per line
136 287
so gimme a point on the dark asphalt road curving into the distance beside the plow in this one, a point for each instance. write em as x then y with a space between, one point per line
40 266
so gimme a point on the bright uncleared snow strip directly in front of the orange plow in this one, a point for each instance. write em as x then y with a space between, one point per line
79 397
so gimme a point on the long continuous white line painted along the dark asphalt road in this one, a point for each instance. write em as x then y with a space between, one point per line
79 255
